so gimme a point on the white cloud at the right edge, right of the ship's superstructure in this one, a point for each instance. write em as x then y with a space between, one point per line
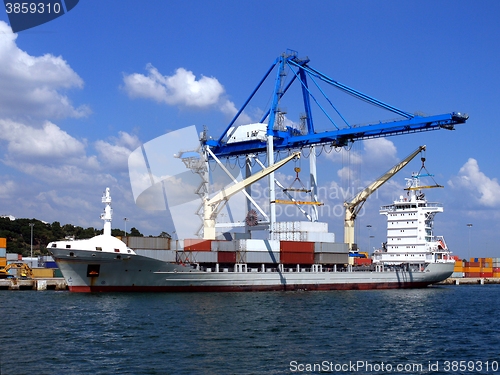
485 190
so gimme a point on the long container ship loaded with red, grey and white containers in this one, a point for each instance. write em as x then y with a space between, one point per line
303 257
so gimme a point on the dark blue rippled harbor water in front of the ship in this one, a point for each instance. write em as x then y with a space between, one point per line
435 330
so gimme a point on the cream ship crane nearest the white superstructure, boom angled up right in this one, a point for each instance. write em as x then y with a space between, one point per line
353 207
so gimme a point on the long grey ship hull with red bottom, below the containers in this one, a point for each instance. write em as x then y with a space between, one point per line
94 271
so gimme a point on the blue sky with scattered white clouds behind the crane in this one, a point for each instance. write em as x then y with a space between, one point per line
72 109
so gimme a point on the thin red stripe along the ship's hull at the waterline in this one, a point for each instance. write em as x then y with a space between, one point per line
250 288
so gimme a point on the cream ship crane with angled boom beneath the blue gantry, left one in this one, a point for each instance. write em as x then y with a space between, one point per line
211 205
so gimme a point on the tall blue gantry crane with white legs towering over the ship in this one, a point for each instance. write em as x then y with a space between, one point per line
271 134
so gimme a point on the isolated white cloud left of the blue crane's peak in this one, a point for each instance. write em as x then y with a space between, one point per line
182 88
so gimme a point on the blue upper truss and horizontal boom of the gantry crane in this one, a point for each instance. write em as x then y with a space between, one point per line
286 138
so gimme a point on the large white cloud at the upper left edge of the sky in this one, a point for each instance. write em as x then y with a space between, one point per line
31 86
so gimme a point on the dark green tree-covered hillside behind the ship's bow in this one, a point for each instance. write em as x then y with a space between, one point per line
18 234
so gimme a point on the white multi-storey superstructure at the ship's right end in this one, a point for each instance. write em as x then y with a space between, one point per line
410 236
